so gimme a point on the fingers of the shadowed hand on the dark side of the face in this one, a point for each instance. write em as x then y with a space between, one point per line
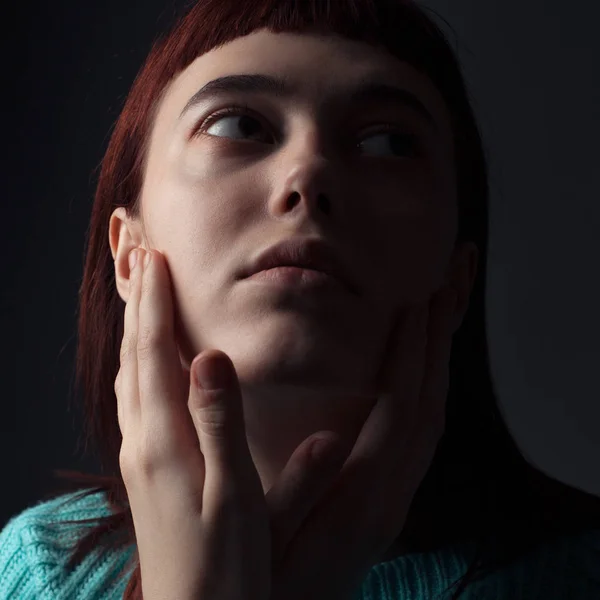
415 365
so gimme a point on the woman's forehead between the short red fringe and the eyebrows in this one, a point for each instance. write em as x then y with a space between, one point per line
317 64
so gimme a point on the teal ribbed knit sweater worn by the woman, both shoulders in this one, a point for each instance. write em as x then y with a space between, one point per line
33 559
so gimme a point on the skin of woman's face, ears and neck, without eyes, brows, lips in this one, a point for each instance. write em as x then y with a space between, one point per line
210 204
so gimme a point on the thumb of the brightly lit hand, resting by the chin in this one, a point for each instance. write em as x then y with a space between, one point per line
215 404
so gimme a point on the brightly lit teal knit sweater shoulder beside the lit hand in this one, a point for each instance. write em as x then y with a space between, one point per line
35 547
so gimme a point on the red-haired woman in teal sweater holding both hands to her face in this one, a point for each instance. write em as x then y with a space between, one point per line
427 488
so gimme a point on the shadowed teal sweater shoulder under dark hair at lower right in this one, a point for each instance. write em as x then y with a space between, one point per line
568 567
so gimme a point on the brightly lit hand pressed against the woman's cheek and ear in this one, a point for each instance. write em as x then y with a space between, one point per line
199 512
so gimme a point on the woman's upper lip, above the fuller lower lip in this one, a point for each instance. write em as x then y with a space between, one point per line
310 253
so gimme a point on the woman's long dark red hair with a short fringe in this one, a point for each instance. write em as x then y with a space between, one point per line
479 487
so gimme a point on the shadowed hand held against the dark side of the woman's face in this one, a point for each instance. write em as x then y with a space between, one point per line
366 508
